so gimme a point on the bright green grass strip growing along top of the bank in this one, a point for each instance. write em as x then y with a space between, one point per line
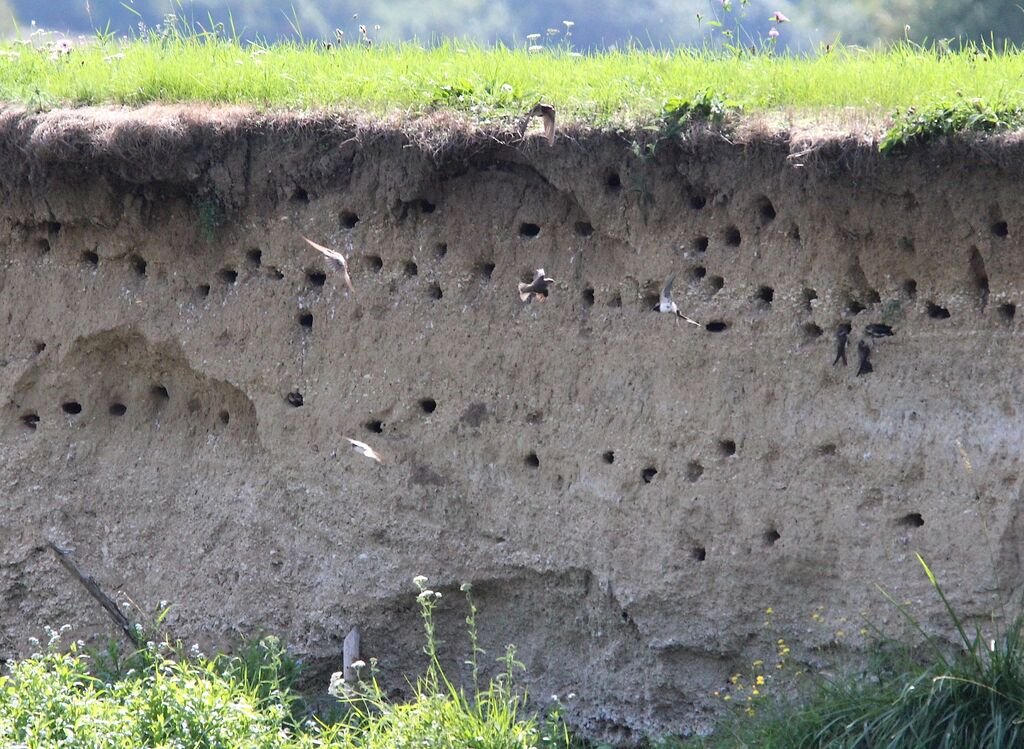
626 87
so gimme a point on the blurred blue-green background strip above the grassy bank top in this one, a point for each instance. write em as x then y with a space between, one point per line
600 24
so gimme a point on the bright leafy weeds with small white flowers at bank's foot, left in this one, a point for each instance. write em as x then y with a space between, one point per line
165 696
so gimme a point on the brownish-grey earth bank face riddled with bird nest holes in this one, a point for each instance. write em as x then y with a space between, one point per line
627 492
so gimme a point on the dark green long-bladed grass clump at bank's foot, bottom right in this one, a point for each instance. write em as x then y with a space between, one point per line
928 696
